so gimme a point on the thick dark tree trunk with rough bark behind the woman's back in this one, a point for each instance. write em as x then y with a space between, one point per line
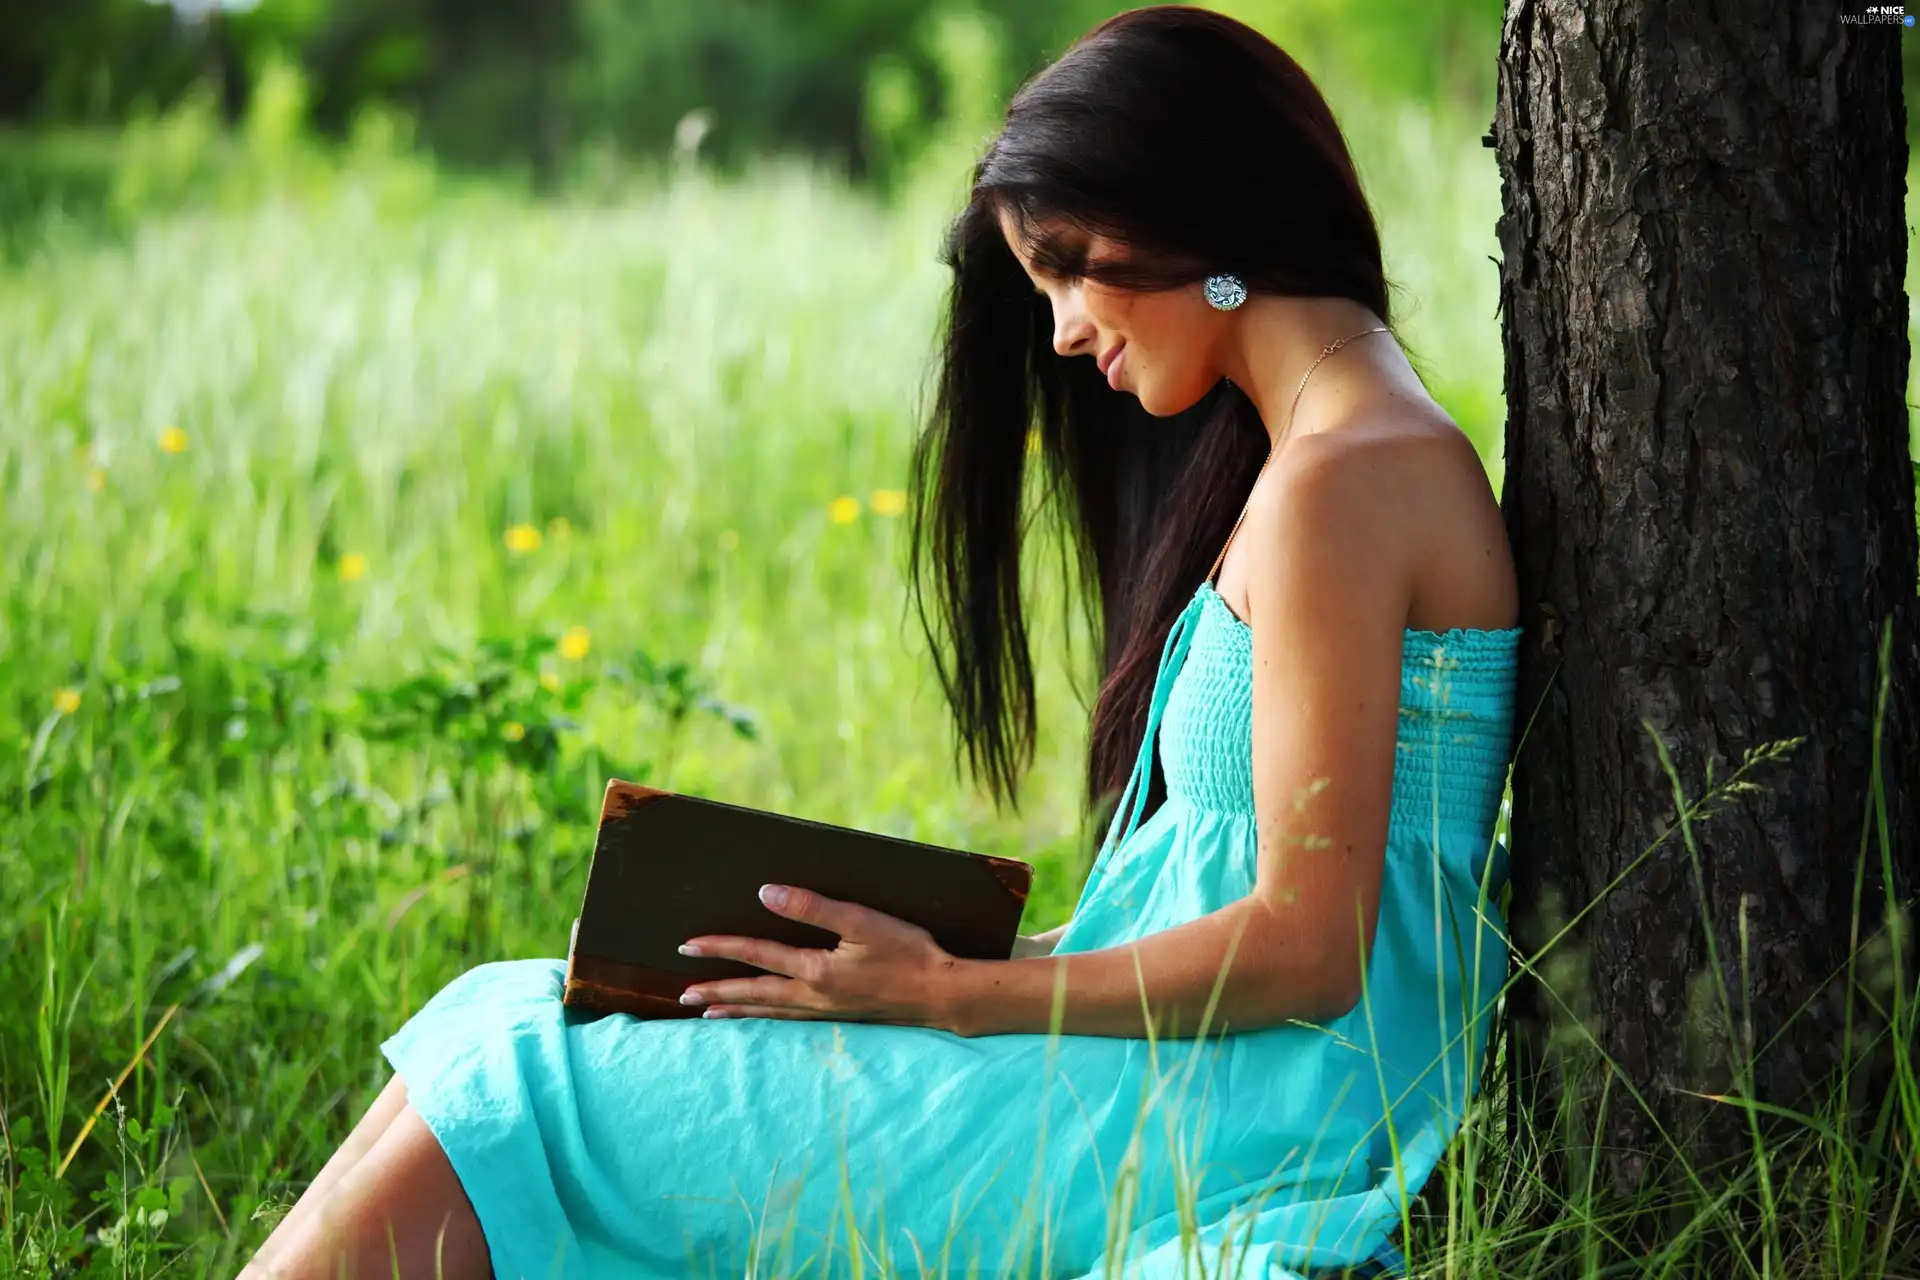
1712 504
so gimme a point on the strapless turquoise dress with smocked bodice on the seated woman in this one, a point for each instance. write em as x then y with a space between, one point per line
748 1147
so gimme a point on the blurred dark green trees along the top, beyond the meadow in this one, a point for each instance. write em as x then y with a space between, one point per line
537 83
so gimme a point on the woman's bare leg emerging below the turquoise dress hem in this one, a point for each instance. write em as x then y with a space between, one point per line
400 1206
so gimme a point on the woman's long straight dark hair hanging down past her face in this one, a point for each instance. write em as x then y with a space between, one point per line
1203 147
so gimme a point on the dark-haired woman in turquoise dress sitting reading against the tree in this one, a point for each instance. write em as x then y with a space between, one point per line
1276 982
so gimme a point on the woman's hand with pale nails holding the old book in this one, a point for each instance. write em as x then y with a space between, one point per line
882 972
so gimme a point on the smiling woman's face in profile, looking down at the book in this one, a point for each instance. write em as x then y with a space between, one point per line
1159 346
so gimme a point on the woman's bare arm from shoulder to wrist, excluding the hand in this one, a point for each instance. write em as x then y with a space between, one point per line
1330 592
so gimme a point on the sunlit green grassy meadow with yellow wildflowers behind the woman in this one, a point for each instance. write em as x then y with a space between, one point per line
360 525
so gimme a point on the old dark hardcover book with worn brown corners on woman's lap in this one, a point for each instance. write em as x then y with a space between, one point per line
669 868
